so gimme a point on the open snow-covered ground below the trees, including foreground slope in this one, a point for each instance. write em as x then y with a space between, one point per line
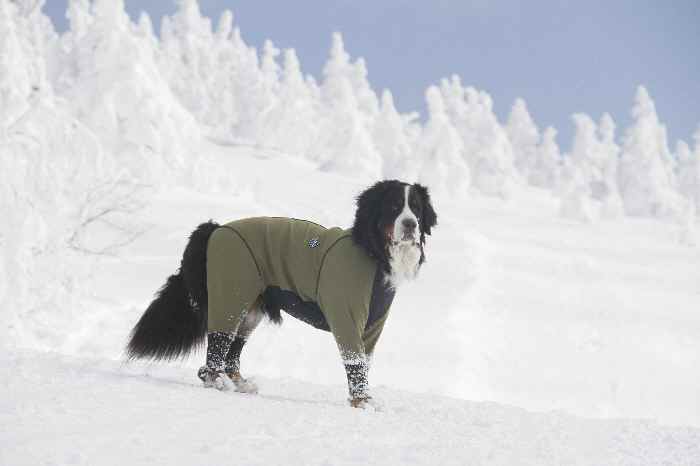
515 306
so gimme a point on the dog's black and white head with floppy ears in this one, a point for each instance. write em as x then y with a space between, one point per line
393 213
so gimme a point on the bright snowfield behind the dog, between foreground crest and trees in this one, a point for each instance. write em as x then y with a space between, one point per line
514 306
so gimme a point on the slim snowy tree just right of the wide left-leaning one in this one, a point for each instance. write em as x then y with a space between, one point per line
524 137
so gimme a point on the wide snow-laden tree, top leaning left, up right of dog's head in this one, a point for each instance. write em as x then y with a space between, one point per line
487 149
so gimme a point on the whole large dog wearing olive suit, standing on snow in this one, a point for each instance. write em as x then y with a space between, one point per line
341 281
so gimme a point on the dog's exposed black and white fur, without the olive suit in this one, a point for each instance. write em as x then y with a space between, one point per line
391 221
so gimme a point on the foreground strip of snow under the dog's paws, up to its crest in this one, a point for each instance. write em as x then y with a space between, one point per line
72 411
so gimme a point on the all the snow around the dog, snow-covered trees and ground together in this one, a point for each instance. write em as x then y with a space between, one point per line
552 324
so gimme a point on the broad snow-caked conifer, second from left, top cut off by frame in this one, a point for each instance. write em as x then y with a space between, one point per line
118 91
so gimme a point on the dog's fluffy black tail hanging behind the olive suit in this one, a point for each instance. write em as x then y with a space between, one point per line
176 321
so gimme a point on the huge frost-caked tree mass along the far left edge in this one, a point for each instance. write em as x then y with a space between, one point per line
56 191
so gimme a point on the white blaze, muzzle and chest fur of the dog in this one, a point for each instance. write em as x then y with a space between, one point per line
404 255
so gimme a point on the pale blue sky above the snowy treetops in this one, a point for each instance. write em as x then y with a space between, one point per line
560 56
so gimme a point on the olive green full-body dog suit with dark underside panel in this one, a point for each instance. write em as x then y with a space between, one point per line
316 274
